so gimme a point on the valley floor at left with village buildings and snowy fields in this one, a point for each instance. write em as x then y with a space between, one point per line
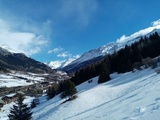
34 85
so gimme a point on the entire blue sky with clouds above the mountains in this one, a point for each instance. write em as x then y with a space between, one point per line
48 30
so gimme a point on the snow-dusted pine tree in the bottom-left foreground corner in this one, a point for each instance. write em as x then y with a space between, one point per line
20 111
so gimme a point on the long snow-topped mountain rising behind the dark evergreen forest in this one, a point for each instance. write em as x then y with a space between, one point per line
98 54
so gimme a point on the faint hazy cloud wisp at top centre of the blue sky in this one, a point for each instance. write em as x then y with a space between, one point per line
80 11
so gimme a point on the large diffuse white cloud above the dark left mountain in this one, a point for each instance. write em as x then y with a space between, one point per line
26 42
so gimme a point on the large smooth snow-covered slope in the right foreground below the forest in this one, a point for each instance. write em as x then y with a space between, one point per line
129 96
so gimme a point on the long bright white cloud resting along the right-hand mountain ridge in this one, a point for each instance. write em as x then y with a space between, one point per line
124 38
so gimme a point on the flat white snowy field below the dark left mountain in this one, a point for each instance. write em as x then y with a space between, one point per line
19 79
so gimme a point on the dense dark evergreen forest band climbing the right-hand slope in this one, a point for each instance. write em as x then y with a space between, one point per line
121 61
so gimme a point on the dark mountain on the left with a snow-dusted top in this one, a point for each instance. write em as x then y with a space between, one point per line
10 60
